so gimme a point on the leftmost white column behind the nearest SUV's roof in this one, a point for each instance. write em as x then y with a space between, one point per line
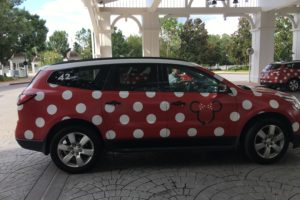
103 38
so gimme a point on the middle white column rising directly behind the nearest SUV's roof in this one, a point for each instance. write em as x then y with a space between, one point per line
151 29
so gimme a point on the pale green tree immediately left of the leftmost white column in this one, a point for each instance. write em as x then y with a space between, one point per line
83 44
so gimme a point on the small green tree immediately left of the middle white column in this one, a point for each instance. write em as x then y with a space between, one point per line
134 44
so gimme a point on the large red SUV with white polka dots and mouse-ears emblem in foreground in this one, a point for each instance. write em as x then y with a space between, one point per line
74 110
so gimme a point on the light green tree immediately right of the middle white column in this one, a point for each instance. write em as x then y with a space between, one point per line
170 37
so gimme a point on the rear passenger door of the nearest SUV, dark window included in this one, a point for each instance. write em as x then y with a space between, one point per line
130 105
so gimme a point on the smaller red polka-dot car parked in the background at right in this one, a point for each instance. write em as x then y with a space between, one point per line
284 75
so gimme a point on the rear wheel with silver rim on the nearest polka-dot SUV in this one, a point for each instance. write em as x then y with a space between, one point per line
75 149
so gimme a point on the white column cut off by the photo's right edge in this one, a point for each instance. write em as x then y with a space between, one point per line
296 38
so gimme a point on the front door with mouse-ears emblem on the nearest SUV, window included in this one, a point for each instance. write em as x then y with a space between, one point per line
200 106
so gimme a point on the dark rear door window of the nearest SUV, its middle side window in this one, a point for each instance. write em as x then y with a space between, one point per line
133 77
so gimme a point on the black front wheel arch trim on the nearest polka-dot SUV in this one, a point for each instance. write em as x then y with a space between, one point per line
265 115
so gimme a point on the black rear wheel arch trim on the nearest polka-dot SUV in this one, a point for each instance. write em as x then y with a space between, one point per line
64 123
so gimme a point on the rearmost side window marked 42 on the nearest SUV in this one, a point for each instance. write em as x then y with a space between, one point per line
85 78
